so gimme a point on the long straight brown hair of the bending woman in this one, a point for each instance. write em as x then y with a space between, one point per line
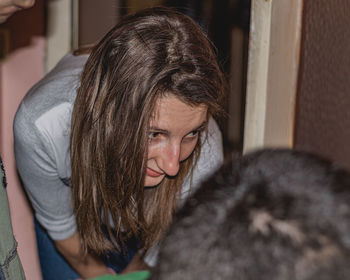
145 56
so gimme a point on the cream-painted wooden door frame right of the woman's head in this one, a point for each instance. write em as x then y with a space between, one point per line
273 62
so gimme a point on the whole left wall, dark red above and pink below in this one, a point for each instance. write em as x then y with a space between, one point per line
23 67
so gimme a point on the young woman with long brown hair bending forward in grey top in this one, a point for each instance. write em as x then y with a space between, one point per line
106 155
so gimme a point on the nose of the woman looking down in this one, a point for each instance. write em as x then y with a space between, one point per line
169 159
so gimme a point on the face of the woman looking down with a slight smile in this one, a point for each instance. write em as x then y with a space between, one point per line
174 132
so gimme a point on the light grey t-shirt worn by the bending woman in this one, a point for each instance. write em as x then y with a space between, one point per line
41 131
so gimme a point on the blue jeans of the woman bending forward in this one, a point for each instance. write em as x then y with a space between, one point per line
55 267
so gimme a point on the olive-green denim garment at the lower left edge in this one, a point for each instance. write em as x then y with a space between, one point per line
10 264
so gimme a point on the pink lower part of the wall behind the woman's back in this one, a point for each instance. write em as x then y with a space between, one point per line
18 73
